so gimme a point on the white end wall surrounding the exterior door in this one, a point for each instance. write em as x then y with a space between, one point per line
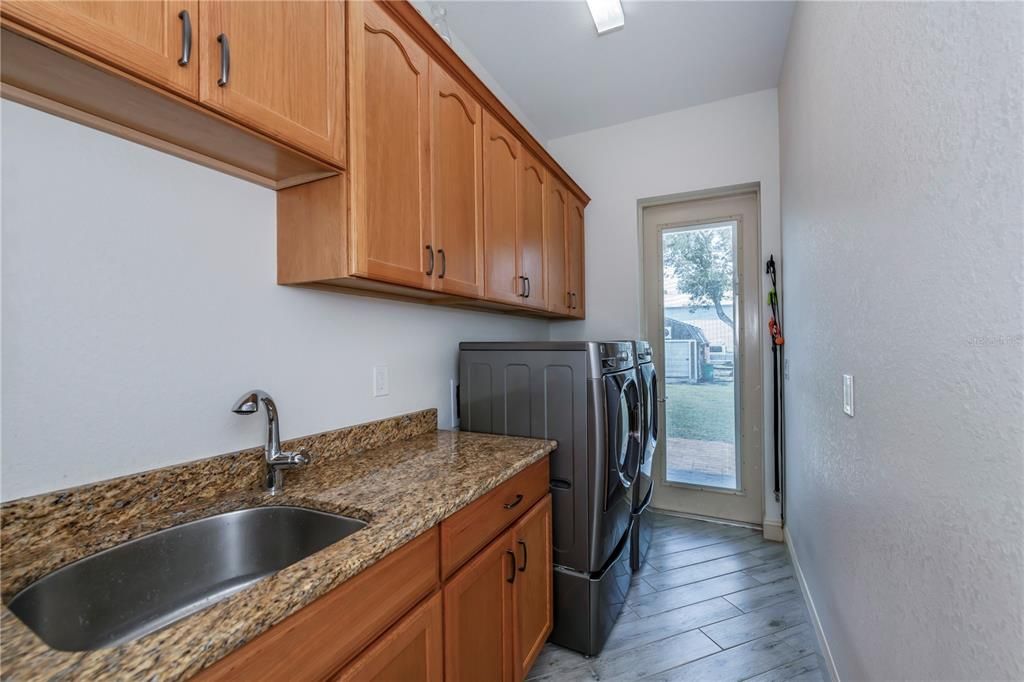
728 143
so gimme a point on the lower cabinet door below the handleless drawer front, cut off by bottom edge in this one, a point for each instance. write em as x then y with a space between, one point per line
412 650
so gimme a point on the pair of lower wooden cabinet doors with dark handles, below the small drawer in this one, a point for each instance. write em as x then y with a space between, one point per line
498 609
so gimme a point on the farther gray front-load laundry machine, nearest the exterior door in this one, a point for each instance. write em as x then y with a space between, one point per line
644 489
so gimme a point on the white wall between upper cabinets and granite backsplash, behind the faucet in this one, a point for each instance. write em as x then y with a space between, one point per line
140 303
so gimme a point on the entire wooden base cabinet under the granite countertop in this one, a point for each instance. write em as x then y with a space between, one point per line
408 619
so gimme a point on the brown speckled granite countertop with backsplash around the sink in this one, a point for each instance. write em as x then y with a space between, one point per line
402 488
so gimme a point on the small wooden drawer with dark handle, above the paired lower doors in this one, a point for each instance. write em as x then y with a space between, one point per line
473 528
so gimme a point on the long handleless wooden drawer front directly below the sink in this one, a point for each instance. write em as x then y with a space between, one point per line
321 638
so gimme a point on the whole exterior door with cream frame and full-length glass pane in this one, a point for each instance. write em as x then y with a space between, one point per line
702 290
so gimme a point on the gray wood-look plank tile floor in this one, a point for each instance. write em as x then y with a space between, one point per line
712 603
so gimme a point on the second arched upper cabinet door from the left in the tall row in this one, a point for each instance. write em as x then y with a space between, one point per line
457 186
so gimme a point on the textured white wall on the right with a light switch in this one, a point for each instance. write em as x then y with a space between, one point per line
903 177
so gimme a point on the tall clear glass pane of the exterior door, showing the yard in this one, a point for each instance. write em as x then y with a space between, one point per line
699 265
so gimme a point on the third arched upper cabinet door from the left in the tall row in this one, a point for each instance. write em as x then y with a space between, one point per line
501 189
